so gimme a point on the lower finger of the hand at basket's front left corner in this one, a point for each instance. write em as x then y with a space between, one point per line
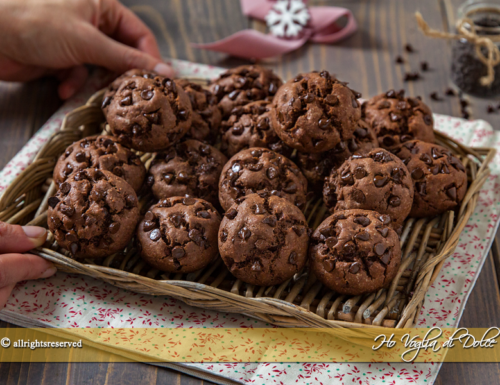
21 267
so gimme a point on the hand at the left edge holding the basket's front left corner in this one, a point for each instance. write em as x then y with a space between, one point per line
14 266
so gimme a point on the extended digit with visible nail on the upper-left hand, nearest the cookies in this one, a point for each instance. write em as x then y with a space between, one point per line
118 57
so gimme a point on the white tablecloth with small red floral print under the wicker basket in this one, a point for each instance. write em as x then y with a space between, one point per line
67 300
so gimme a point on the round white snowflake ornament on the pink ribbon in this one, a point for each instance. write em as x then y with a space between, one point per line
287 18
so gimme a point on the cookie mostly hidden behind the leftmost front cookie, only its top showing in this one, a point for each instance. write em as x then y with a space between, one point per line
104 153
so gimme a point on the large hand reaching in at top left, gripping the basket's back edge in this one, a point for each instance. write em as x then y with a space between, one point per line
57 37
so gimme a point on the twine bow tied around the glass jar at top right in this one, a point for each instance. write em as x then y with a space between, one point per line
466 29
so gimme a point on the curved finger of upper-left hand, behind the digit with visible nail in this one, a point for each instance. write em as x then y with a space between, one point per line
120 23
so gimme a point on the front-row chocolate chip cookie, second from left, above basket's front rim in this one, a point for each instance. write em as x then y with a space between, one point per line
179 235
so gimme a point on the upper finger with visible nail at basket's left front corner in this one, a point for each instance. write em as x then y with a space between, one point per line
17 239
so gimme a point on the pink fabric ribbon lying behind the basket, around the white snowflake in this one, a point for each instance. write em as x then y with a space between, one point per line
251 44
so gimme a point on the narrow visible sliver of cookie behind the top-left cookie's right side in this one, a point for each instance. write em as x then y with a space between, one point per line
206 116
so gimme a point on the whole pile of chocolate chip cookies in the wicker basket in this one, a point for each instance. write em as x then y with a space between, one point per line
256 150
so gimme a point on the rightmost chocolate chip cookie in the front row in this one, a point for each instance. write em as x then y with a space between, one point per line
354 252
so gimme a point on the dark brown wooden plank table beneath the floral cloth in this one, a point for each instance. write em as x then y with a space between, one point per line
366 60
